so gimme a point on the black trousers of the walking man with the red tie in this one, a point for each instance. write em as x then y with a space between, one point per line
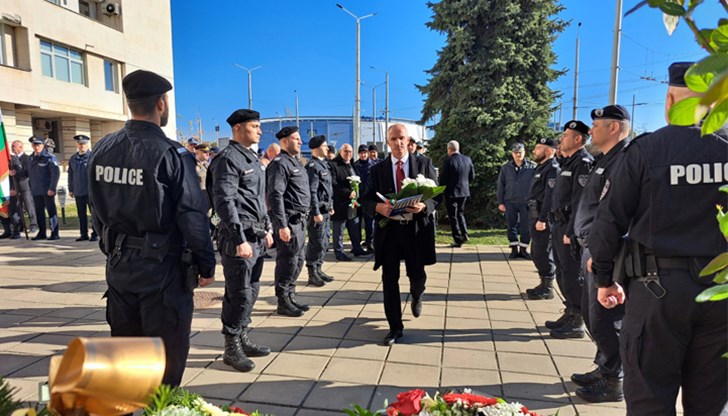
400 245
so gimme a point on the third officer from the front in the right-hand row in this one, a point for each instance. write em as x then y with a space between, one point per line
574 172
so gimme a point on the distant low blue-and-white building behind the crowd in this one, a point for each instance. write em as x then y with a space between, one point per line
339 130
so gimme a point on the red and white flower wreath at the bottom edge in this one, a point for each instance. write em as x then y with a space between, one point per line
418 402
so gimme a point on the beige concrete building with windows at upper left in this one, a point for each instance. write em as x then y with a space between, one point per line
62 61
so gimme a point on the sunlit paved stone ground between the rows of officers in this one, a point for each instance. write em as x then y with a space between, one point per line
476 330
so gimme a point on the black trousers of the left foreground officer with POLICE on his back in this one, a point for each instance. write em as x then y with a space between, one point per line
145 298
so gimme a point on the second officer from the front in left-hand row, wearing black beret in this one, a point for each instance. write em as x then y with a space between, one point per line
236 185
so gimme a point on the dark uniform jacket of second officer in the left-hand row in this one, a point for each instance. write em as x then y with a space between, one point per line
236 185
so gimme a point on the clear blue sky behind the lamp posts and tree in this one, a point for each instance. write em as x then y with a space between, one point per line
307 48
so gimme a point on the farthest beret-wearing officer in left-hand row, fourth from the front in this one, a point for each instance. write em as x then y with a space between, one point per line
322 206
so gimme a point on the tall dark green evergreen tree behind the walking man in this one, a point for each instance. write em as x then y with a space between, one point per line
489 86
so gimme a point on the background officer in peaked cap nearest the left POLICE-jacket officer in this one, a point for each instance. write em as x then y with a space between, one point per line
78 185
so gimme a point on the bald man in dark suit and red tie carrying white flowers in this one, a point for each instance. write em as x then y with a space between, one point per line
411 239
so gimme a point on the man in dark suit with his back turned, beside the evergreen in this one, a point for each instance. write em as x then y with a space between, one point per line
456 173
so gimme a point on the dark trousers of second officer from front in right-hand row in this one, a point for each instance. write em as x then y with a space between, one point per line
604 325
